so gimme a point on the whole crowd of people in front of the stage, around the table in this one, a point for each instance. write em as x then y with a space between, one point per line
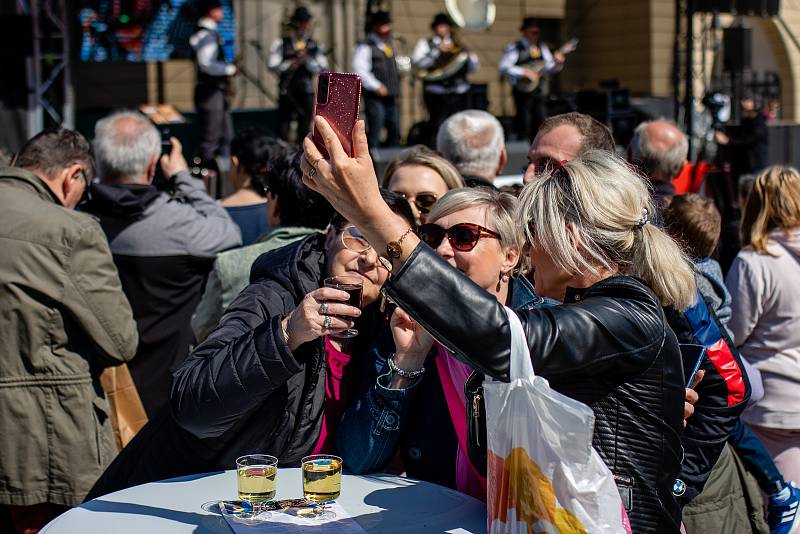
220 312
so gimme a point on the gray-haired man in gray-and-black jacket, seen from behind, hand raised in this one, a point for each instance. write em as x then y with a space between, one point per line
163 245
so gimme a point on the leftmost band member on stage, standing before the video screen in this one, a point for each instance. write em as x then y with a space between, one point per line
213 74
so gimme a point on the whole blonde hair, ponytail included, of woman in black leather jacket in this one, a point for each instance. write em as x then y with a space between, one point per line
602 199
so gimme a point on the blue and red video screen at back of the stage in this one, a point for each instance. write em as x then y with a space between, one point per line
145 30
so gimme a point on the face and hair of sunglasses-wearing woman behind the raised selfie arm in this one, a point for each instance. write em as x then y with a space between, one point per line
423 177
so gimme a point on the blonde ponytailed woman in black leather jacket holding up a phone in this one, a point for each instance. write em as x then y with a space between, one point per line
592 246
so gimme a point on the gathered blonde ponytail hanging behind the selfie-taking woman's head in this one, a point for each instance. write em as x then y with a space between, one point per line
658 260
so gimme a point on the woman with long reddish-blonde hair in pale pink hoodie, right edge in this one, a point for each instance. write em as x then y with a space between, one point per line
765 316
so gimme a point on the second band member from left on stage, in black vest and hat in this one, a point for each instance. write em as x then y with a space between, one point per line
296 58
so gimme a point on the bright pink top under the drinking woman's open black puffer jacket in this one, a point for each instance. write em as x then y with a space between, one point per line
336 397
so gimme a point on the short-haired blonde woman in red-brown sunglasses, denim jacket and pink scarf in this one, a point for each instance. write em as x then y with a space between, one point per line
472 229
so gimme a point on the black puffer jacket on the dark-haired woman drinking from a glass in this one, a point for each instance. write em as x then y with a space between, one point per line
242 390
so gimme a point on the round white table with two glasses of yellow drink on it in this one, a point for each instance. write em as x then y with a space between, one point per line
378 503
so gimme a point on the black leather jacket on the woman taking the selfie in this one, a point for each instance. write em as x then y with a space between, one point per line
608 346
